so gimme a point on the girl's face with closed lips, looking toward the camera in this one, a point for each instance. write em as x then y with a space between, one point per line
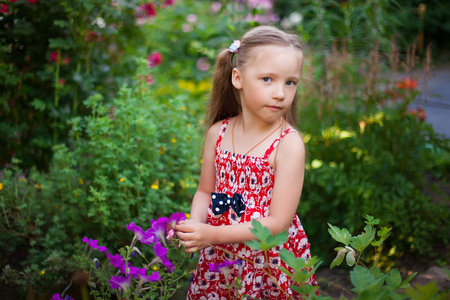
268 83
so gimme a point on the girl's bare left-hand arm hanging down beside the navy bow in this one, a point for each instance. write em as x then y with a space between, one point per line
202 197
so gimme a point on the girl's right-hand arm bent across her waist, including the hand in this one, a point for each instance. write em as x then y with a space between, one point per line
290 165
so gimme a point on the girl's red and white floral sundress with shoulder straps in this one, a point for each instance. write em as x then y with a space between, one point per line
253 178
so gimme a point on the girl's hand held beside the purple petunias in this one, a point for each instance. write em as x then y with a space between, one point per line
193 236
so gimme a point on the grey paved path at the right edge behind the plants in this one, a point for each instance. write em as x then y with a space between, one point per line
437 107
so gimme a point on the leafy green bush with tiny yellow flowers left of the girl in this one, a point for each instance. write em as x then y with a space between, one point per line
127 164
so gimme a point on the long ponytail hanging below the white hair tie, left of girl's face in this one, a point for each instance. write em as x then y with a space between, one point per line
224 102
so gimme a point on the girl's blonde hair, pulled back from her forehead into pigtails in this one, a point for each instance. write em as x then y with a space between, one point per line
225 102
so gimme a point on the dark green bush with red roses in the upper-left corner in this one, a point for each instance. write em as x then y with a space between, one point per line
54 54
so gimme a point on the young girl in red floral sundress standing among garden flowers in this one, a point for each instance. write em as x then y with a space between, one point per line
253 168
